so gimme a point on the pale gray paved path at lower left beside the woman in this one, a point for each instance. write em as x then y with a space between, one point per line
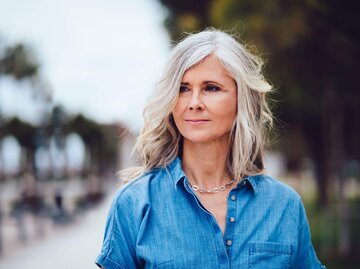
75 247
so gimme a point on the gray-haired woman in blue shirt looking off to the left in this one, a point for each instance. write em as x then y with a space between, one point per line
200 199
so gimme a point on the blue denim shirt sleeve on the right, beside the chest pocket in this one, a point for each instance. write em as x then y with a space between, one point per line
306 256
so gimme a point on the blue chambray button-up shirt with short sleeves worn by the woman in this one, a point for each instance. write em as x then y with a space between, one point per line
156 221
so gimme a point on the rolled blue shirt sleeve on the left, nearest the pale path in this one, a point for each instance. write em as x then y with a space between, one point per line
118 250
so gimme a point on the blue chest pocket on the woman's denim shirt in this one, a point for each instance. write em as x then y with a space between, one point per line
269 255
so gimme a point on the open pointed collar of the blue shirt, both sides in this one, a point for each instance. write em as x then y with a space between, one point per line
177 174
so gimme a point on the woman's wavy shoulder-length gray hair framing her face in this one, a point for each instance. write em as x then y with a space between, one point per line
159 141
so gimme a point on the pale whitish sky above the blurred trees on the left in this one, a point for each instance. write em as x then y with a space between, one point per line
100 58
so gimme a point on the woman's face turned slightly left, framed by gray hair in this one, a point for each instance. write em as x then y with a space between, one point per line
207 104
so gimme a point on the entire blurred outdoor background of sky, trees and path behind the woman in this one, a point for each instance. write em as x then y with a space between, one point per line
75 75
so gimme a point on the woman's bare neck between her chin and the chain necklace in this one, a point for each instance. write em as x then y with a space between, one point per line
205 164
